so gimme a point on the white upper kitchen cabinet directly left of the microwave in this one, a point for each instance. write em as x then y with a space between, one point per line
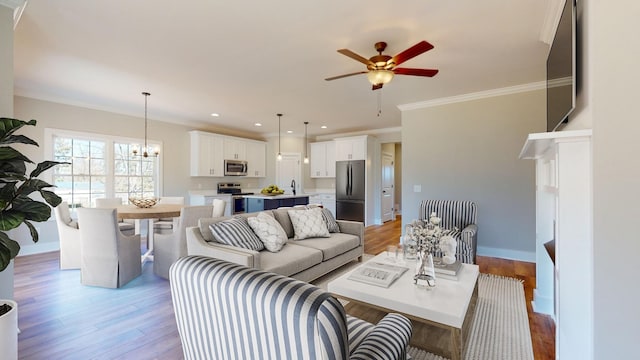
206 154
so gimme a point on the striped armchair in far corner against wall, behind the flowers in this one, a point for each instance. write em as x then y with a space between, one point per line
460 214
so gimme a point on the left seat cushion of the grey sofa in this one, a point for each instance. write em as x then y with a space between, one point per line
291 259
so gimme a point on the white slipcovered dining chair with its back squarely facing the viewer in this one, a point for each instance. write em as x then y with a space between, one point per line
109 258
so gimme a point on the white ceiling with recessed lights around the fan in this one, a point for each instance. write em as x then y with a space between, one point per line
249 60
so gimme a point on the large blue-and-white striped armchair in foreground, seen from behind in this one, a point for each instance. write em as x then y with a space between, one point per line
229 311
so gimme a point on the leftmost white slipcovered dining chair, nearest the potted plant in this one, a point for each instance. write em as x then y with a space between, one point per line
69 236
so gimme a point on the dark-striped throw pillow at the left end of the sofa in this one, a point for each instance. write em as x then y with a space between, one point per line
236 232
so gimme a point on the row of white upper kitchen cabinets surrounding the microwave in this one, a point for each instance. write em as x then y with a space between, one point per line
208 152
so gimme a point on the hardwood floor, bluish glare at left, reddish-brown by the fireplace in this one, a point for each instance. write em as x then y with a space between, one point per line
61 319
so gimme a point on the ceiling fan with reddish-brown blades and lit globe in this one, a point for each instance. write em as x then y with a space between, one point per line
382 68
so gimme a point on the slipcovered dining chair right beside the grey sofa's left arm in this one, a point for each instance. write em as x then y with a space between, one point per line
167 248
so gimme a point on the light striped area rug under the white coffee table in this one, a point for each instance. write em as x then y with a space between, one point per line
500 327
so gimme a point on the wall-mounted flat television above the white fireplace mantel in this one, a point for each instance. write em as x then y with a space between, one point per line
561 70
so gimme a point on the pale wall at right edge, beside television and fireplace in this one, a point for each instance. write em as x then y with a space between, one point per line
611 48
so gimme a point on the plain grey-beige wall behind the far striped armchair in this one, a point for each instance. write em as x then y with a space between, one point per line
469 151
